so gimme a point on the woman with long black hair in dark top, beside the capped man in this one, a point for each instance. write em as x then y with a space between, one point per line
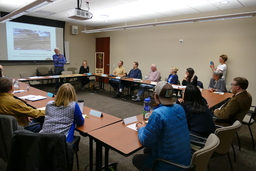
199 117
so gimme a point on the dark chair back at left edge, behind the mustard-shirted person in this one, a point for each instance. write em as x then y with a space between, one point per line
8 124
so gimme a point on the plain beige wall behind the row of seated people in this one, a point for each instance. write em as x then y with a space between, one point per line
203 42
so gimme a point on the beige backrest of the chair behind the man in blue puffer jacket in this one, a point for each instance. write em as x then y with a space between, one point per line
200 158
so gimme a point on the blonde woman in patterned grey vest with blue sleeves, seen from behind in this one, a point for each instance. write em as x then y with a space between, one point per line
63 114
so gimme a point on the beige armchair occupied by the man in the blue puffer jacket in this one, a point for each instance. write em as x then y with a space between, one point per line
200 158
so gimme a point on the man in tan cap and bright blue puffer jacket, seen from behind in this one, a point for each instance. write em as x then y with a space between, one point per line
166 134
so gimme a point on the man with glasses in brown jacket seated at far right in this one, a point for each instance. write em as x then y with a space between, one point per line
236 107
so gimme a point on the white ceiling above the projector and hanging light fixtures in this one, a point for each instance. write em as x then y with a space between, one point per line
108 12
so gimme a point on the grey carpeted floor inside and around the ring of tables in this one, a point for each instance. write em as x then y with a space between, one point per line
102 100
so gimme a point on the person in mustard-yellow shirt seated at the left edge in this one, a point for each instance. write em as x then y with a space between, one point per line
9 105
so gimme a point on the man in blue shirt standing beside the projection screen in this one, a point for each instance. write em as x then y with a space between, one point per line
59 61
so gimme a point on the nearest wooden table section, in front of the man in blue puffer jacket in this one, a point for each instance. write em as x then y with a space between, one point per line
116 136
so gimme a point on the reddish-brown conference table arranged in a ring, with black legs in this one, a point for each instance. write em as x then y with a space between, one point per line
109 131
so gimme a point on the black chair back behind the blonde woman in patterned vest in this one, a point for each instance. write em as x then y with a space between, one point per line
34 151
